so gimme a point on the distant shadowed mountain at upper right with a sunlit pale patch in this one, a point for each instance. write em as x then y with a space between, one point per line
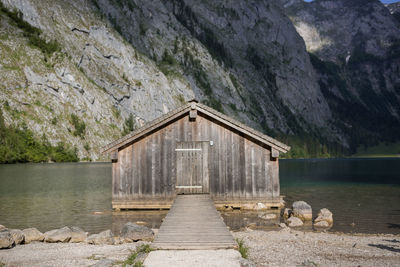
354 47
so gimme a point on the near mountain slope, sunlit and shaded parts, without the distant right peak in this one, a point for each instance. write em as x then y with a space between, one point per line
119 58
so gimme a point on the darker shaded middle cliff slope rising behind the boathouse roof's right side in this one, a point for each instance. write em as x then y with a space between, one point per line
252 62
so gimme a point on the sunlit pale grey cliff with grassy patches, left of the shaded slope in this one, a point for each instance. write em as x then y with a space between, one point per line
97 76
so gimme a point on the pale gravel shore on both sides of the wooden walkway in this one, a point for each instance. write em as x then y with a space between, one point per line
266 248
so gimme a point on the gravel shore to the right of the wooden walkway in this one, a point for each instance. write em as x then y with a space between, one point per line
294 248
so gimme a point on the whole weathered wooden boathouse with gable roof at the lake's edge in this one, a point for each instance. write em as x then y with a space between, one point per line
195 150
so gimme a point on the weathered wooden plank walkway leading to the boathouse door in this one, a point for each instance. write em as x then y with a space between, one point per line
193 223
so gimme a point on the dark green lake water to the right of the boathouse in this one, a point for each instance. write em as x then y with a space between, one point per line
363 194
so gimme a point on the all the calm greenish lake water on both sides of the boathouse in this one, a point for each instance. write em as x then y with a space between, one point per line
363 194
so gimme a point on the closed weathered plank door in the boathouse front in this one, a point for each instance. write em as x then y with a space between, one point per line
191 167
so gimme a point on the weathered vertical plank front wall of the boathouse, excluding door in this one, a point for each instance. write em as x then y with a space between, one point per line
238 168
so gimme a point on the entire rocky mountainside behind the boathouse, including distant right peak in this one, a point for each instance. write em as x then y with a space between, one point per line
143 58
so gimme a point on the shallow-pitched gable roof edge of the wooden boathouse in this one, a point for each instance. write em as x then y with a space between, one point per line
194 105
